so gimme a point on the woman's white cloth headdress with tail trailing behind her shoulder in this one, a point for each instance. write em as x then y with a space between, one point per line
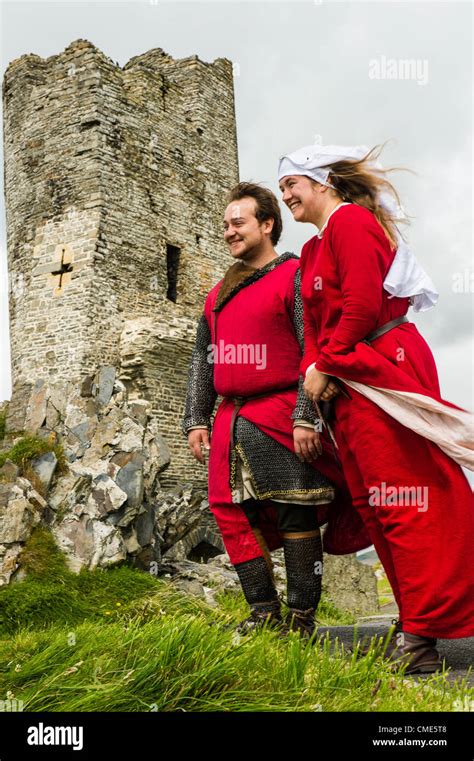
406 277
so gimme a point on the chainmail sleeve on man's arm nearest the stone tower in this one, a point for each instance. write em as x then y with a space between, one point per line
201 395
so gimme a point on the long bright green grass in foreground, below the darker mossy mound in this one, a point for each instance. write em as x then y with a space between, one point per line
167 655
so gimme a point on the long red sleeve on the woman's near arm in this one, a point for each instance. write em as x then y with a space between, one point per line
363 256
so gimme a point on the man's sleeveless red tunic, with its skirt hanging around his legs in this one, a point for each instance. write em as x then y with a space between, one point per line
260 314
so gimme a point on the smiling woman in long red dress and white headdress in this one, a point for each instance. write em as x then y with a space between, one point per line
400 444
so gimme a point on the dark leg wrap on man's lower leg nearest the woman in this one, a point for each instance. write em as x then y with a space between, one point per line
304 567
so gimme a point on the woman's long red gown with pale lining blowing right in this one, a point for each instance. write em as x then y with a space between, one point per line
401 445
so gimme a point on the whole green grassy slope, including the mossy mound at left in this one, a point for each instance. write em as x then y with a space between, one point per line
122 640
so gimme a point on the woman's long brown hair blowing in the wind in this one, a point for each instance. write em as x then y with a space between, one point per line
357 182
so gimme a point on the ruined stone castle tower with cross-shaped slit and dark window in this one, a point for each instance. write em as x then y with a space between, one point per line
115 181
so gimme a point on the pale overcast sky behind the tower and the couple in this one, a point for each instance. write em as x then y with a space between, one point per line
308 69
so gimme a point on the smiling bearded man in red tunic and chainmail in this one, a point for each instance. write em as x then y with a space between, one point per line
271 476
